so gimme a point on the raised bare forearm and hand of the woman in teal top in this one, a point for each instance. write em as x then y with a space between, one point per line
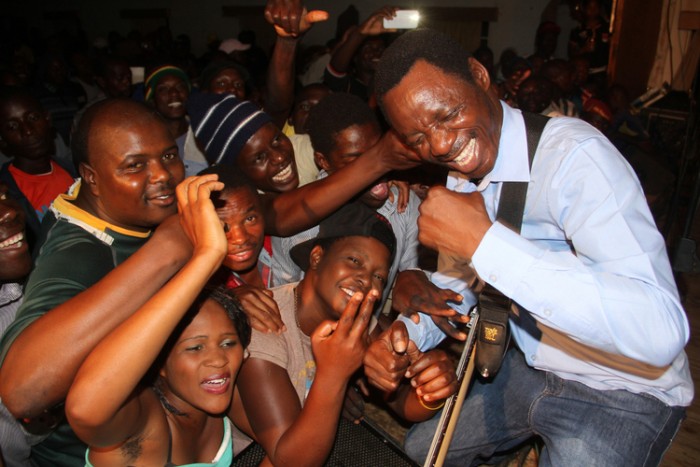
106 417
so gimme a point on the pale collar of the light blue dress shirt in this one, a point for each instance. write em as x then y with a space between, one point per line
512 163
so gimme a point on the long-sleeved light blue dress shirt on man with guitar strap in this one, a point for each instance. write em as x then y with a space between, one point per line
589 262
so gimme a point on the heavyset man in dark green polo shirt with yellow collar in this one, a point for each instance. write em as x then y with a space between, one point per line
89 276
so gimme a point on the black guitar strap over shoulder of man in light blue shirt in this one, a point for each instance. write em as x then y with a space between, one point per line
494 307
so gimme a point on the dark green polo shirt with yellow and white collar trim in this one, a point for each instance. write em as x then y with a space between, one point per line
78 249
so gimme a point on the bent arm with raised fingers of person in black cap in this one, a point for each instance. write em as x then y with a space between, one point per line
289 434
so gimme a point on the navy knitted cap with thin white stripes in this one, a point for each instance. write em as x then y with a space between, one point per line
223 124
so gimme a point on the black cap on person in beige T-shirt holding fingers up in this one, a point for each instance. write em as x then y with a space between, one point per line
352 220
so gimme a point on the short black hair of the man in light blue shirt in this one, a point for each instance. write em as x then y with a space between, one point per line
429 45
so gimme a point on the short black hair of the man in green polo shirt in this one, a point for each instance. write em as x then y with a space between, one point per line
80 139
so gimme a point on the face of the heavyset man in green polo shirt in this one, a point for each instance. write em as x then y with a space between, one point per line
134 169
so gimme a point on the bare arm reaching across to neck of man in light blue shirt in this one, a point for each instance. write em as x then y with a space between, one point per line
293 211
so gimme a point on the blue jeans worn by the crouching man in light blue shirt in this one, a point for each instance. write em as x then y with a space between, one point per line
579 425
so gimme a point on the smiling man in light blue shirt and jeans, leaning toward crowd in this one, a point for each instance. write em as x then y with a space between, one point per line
600 330
